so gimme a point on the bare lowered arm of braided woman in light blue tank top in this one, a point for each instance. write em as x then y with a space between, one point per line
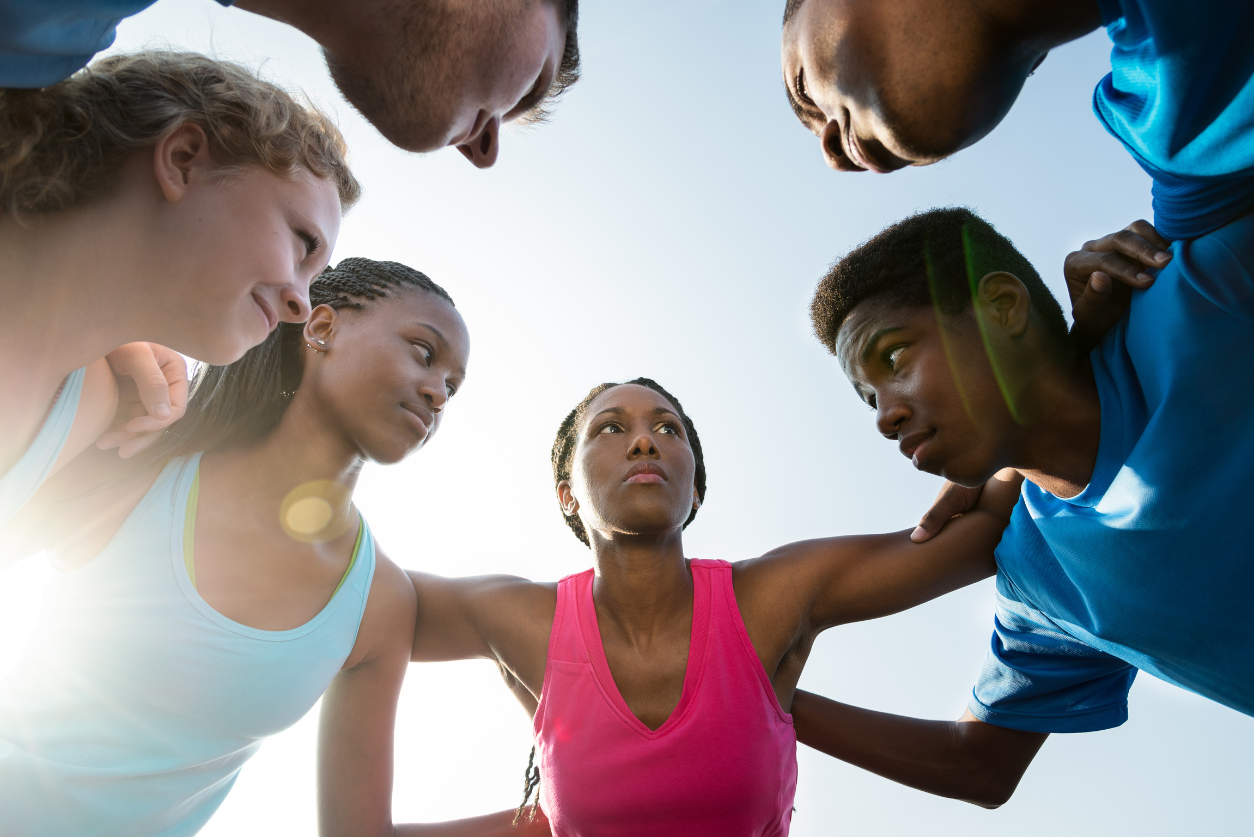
357 730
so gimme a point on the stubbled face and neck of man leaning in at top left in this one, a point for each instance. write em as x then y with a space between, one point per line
447 72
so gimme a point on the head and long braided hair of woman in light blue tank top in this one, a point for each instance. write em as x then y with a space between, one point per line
373 370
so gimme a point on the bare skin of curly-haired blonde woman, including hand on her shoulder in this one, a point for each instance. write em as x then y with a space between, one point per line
179 255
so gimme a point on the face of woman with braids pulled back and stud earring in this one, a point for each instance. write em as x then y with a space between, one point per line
387 372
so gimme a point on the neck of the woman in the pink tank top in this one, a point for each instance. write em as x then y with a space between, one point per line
643 582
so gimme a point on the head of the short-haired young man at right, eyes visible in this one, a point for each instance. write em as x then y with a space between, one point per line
944 327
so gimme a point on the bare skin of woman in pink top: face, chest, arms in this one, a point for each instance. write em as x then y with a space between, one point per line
633 488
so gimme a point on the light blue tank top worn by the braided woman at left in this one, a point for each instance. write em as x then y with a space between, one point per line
136 703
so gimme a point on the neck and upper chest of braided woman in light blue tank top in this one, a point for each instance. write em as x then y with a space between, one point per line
300 451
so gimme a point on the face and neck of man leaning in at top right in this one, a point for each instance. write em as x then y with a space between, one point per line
891 83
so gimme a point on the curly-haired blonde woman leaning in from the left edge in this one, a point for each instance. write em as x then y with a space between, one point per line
161 198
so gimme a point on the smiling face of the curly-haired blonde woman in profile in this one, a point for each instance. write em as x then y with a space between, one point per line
249 247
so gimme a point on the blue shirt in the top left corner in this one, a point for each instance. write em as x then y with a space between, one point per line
43 42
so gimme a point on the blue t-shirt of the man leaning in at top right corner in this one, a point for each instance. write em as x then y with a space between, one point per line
1181 97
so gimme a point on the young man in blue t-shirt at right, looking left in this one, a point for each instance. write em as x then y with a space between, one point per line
1127 550
